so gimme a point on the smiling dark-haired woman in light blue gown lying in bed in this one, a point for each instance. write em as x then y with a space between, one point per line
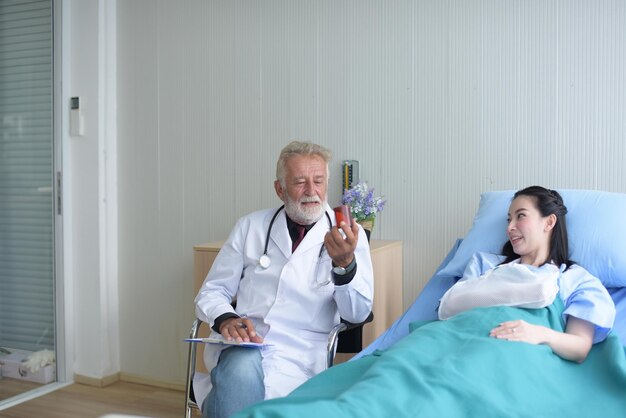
538 237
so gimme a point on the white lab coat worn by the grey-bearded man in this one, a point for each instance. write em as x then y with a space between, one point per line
286 303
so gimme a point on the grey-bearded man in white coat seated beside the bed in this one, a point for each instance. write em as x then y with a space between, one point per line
293 274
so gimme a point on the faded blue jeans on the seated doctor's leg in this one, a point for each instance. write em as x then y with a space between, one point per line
237 381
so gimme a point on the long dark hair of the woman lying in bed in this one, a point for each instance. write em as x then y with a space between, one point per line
547 202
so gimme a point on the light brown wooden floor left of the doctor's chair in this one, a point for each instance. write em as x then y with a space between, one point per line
82 401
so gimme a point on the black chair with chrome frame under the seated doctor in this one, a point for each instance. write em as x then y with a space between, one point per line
334 345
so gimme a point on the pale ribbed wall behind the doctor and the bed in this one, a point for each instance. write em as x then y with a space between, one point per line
438 100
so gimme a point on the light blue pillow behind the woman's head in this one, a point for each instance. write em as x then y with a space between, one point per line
595 224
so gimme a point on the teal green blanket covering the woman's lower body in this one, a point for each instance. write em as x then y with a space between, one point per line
454 369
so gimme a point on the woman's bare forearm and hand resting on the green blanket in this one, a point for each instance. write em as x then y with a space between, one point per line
573 344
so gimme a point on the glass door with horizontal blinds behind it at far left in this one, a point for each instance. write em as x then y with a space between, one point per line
27 207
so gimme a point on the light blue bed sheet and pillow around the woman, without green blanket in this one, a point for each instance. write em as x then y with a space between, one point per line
597 236
